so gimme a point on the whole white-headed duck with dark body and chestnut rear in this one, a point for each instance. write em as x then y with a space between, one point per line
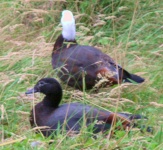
82 66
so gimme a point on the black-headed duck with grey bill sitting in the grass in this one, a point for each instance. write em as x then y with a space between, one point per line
71 116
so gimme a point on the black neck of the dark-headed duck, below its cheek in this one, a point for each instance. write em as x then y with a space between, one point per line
53 100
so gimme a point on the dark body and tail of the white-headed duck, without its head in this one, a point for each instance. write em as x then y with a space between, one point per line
75 60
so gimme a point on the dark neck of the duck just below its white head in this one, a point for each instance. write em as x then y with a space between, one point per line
60 42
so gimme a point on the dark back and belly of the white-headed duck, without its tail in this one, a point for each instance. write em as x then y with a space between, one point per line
78 59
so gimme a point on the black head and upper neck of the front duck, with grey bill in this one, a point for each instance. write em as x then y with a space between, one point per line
51 88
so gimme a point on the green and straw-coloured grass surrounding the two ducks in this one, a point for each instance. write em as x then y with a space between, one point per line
130 31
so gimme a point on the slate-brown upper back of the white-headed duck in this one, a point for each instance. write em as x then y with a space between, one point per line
82 56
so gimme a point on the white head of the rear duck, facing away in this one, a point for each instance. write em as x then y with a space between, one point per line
68 24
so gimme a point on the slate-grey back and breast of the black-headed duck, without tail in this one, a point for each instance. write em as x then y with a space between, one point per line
69 117
